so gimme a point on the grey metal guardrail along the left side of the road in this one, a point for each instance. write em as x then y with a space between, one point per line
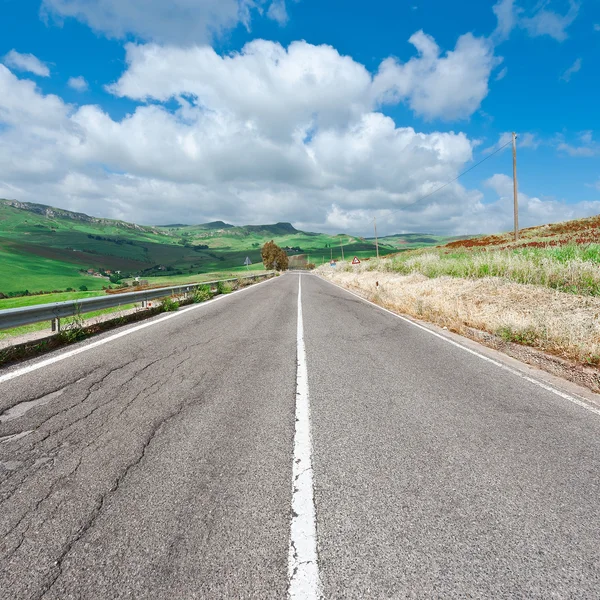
26 315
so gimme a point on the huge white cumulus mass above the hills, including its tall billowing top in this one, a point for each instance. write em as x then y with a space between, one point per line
322 158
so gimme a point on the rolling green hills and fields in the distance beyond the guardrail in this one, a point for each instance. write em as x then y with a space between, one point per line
50 250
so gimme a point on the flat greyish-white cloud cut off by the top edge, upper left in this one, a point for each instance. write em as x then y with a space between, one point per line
175 21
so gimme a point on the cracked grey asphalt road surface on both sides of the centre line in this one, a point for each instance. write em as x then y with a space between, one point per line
159 464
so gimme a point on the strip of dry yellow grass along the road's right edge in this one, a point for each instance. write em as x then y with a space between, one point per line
563 324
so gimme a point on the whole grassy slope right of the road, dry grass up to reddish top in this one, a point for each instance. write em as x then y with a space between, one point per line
505 287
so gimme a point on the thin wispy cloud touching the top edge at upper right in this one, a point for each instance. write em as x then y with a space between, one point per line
541 21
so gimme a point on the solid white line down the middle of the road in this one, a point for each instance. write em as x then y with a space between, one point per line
303 567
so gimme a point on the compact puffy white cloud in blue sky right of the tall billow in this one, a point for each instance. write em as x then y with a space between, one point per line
446 87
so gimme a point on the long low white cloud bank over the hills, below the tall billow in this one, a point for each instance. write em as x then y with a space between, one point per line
199 164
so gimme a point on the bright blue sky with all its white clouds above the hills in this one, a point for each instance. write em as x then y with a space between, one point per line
325 114
